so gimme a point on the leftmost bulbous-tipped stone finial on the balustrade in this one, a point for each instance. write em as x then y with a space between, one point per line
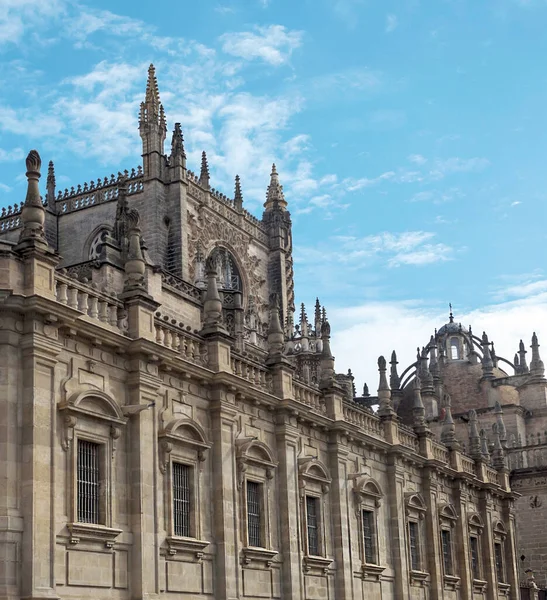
33 214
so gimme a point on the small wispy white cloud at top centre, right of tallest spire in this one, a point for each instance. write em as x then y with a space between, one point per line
273 44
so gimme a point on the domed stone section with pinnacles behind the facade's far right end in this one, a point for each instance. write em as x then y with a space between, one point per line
472 402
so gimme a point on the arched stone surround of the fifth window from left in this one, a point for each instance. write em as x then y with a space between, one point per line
368 495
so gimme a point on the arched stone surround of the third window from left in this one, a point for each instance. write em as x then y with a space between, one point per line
255 462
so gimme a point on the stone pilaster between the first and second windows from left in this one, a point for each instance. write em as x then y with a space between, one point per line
143 384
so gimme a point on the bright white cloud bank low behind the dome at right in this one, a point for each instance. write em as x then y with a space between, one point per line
403 325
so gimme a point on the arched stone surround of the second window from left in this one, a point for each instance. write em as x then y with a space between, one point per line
183 441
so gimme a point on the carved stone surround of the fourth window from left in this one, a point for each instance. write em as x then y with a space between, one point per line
314 480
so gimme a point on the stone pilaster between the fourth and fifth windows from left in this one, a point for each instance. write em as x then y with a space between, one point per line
340 509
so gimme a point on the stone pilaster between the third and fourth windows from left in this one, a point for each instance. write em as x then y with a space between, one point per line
289 503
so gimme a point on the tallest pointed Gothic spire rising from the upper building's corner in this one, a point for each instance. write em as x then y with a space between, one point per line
152 128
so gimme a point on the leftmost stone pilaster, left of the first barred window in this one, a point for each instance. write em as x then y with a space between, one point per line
39 351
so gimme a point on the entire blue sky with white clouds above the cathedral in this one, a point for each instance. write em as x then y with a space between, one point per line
409 136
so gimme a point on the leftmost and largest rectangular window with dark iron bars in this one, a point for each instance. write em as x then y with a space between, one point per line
88 482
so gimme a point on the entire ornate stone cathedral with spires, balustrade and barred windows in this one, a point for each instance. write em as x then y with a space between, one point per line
170 430
